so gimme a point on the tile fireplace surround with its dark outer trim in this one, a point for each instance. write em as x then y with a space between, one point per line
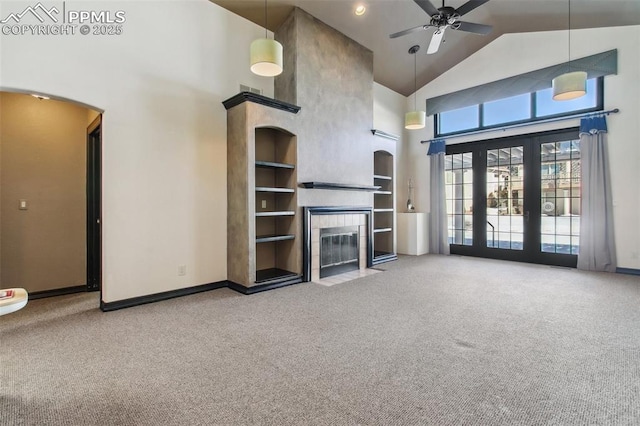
316 218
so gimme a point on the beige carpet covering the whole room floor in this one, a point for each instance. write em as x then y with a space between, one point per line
432 340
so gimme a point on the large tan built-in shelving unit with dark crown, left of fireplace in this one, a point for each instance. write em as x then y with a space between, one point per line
264 232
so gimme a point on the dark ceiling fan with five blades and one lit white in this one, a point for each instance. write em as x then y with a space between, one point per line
446 17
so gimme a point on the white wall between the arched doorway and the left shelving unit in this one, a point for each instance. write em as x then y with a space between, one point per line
160 85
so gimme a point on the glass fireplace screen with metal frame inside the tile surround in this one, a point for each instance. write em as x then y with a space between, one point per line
339 251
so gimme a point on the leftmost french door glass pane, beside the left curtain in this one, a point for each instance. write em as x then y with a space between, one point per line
459 191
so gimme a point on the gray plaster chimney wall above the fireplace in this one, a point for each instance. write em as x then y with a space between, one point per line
331 77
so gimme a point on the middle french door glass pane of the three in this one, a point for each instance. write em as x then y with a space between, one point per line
505 195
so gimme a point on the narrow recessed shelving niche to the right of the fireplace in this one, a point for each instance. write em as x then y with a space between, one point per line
383 208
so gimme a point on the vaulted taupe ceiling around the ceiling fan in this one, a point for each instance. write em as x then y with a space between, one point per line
393 65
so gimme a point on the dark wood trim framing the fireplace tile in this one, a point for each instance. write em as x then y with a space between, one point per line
306 226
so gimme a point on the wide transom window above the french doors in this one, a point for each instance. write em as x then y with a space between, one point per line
527 107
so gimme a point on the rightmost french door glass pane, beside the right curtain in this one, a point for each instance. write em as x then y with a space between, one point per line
560 197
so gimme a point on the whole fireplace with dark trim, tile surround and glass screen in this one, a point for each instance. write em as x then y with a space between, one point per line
336 240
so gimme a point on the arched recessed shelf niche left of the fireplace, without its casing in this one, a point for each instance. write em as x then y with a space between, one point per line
276 221
